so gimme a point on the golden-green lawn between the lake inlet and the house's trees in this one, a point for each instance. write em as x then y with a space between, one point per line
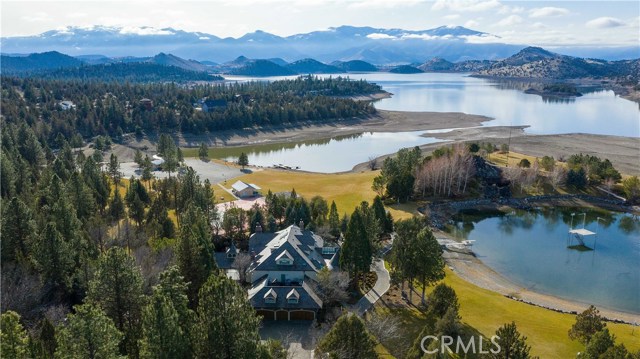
346 189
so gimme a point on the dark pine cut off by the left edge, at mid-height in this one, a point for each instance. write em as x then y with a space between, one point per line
17 230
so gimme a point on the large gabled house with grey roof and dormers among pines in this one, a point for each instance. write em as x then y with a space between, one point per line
283 268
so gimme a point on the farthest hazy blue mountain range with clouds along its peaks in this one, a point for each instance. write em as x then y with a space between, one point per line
345 43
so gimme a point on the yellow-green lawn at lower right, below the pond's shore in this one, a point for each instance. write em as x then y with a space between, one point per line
485 311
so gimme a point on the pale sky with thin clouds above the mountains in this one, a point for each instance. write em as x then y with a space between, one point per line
542 23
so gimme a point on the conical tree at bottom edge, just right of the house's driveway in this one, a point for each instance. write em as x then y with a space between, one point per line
348 339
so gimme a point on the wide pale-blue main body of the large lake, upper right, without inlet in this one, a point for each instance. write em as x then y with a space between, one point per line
598 112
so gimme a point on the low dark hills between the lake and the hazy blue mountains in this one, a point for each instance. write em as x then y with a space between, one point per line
530 62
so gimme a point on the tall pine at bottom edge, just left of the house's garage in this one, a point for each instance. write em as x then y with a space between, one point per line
227 326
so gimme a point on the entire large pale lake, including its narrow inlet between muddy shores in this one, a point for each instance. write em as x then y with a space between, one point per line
597 112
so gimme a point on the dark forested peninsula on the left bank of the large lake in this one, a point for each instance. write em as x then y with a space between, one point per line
115 108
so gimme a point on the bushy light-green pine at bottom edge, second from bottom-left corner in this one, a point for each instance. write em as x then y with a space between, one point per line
88 333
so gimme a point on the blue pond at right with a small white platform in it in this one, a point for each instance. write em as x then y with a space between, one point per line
530 248
